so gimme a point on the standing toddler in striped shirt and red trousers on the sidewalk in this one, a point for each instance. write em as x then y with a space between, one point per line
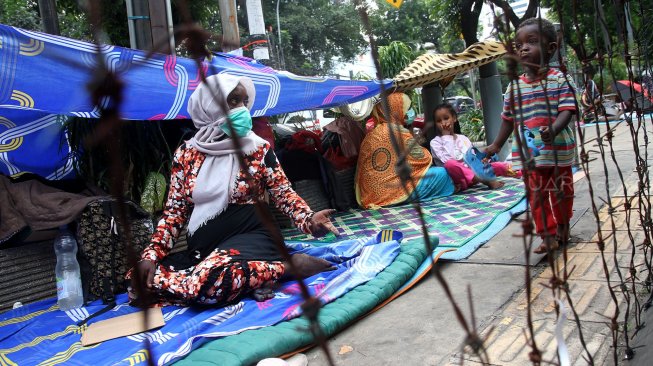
539 106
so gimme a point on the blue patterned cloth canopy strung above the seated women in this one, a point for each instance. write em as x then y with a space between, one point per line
44 77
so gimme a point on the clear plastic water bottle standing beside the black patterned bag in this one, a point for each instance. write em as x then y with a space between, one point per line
69 280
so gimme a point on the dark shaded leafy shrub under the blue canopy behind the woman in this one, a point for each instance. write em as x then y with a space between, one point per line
145 156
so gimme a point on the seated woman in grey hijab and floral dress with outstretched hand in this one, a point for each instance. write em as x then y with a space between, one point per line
230 251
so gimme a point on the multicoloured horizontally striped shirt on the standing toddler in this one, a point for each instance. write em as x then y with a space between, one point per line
541 101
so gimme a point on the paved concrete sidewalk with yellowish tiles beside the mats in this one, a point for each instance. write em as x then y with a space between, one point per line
420 328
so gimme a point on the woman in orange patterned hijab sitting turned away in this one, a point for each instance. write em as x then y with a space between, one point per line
377 182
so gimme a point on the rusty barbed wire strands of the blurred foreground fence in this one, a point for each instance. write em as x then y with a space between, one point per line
625 289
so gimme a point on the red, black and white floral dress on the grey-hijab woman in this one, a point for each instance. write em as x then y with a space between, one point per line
223 275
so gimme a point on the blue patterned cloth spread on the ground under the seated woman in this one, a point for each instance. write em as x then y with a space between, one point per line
41 333
